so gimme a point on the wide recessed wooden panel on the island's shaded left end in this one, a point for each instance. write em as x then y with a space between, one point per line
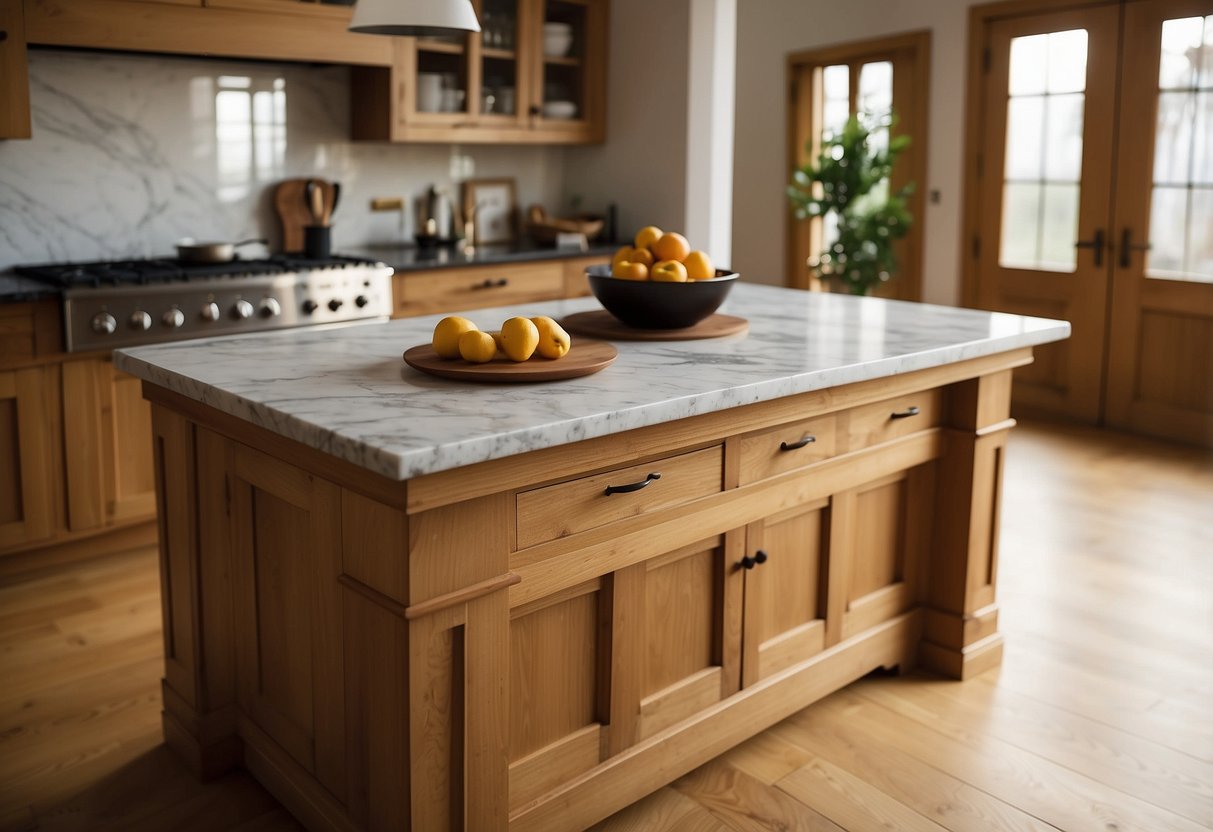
287 560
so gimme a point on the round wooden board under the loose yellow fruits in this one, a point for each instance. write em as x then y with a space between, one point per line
584 358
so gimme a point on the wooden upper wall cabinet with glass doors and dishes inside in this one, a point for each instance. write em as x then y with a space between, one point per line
537 73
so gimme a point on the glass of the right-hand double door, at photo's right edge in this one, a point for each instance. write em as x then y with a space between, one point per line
1182 195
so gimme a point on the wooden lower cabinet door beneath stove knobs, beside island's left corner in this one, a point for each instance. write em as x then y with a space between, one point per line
107 430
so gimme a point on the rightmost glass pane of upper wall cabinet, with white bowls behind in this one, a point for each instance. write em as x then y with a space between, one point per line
565 50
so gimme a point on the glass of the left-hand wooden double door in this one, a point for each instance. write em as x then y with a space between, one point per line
1046 96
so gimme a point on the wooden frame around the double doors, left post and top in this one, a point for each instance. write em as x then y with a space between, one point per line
981 19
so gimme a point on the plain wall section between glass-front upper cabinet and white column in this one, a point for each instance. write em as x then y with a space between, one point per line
642 167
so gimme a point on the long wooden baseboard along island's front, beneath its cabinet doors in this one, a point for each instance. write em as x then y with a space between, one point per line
645 768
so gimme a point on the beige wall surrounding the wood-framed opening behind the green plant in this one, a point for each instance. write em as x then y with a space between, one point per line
767 32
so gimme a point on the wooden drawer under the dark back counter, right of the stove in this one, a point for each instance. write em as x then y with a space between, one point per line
451 290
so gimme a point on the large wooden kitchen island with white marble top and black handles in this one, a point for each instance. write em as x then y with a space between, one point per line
411 603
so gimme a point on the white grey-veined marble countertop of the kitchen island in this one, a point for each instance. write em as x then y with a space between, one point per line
349 394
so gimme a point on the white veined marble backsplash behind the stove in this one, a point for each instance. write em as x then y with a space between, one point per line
133 153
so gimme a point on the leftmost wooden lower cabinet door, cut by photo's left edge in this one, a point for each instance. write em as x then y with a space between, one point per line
30 432
